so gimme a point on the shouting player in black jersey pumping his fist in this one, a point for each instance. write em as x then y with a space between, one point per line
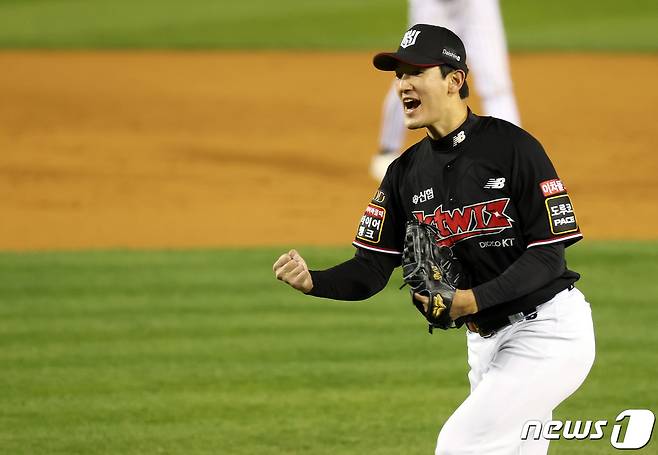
492 195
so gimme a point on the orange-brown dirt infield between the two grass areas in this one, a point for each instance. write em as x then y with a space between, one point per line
144 149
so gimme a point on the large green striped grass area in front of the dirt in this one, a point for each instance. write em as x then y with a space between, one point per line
204 352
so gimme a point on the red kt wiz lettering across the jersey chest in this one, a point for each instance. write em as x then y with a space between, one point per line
484 218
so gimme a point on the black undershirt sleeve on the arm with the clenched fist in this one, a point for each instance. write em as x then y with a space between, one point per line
355 279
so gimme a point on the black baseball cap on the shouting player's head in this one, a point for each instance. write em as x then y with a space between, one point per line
425 46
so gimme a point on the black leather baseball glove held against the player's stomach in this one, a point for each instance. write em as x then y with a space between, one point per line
432 271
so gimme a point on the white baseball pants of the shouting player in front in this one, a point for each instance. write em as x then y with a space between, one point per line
521 373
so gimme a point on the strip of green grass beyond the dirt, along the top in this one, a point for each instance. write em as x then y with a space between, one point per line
301 24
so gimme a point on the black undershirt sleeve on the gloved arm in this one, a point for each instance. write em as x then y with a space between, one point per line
532 270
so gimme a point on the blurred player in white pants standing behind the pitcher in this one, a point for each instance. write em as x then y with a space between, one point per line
480 23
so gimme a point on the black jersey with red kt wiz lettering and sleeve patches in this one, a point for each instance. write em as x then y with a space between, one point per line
489 189
